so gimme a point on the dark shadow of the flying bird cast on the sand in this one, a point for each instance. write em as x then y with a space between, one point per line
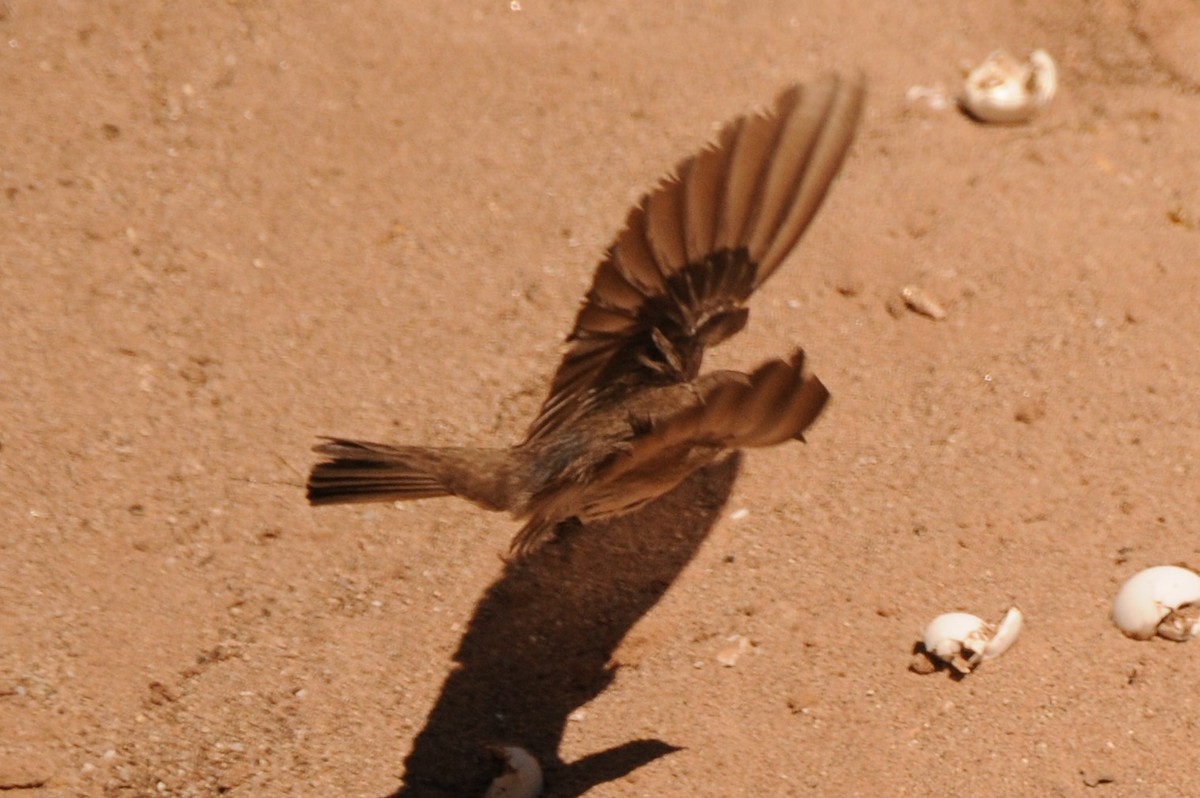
541 643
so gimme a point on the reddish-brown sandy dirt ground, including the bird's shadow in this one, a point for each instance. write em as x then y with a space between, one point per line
229 227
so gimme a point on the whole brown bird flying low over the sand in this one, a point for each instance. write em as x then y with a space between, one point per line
629 416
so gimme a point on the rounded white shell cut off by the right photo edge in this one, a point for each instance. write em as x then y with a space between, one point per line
1163 601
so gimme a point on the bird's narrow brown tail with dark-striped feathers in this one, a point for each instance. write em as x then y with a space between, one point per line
361 471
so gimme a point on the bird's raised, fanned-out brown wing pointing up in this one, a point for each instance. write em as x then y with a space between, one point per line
695 248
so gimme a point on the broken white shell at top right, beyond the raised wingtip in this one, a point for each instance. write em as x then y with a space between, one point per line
1006 91
